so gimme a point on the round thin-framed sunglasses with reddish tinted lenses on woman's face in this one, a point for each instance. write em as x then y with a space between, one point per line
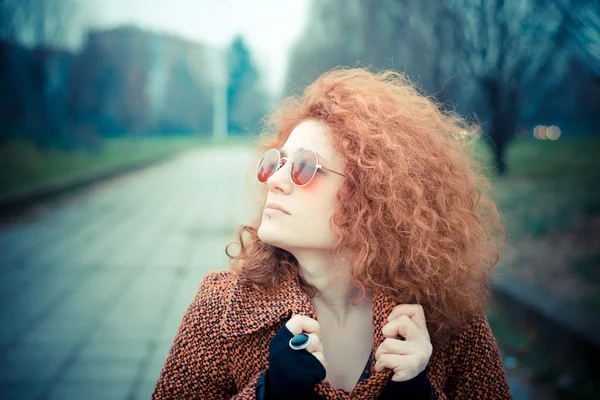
304 166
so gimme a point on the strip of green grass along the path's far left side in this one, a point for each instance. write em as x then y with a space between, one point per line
24 167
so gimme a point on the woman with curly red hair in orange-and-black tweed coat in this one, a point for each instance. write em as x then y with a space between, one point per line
366 274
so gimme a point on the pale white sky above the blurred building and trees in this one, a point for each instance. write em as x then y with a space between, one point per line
269 27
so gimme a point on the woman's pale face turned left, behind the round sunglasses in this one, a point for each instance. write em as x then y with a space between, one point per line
306 225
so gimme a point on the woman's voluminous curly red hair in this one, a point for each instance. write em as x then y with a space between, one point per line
415 209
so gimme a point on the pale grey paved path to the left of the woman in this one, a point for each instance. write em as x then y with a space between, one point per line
91 294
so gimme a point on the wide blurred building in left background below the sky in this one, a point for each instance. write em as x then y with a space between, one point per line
128 81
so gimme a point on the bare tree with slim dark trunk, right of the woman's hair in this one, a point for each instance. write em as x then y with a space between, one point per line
510 49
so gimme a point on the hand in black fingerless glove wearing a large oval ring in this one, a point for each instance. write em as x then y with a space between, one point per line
292 374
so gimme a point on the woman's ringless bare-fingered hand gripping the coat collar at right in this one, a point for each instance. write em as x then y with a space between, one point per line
407 358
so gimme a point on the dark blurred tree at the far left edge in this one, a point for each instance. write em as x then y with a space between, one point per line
34 34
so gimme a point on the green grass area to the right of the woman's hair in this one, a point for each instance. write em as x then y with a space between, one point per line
548 185
